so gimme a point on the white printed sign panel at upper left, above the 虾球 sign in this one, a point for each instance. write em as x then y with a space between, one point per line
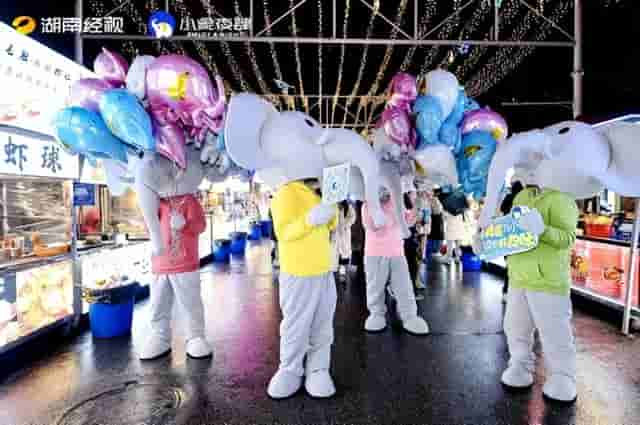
35 81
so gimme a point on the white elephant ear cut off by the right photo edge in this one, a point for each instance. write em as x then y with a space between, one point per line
623 173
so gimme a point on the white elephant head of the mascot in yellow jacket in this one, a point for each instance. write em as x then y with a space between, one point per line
288 146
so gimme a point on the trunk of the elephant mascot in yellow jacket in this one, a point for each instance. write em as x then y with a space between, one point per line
348 146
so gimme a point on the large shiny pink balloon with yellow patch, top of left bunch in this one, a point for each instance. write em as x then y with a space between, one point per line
179 90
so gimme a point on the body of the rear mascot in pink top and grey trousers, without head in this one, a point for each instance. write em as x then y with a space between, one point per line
384 260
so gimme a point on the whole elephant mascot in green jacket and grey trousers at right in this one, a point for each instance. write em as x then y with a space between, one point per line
560 164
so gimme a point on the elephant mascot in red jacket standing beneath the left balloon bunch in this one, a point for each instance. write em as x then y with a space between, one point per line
175 219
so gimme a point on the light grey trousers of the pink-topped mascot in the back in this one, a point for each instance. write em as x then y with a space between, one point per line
378 271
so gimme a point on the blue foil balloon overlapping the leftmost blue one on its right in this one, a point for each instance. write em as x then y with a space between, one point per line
126 118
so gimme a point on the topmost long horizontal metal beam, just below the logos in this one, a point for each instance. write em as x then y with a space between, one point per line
338 41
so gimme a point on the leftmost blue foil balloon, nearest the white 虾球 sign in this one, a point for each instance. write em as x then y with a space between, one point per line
84 132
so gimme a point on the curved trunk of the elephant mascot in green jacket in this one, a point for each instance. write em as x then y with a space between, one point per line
524 150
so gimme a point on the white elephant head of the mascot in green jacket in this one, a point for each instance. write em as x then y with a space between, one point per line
570 157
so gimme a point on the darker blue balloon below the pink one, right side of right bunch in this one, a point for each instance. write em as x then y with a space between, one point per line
476 152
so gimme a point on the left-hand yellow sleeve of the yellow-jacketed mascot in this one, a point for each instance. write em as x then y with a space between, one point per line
287 225
